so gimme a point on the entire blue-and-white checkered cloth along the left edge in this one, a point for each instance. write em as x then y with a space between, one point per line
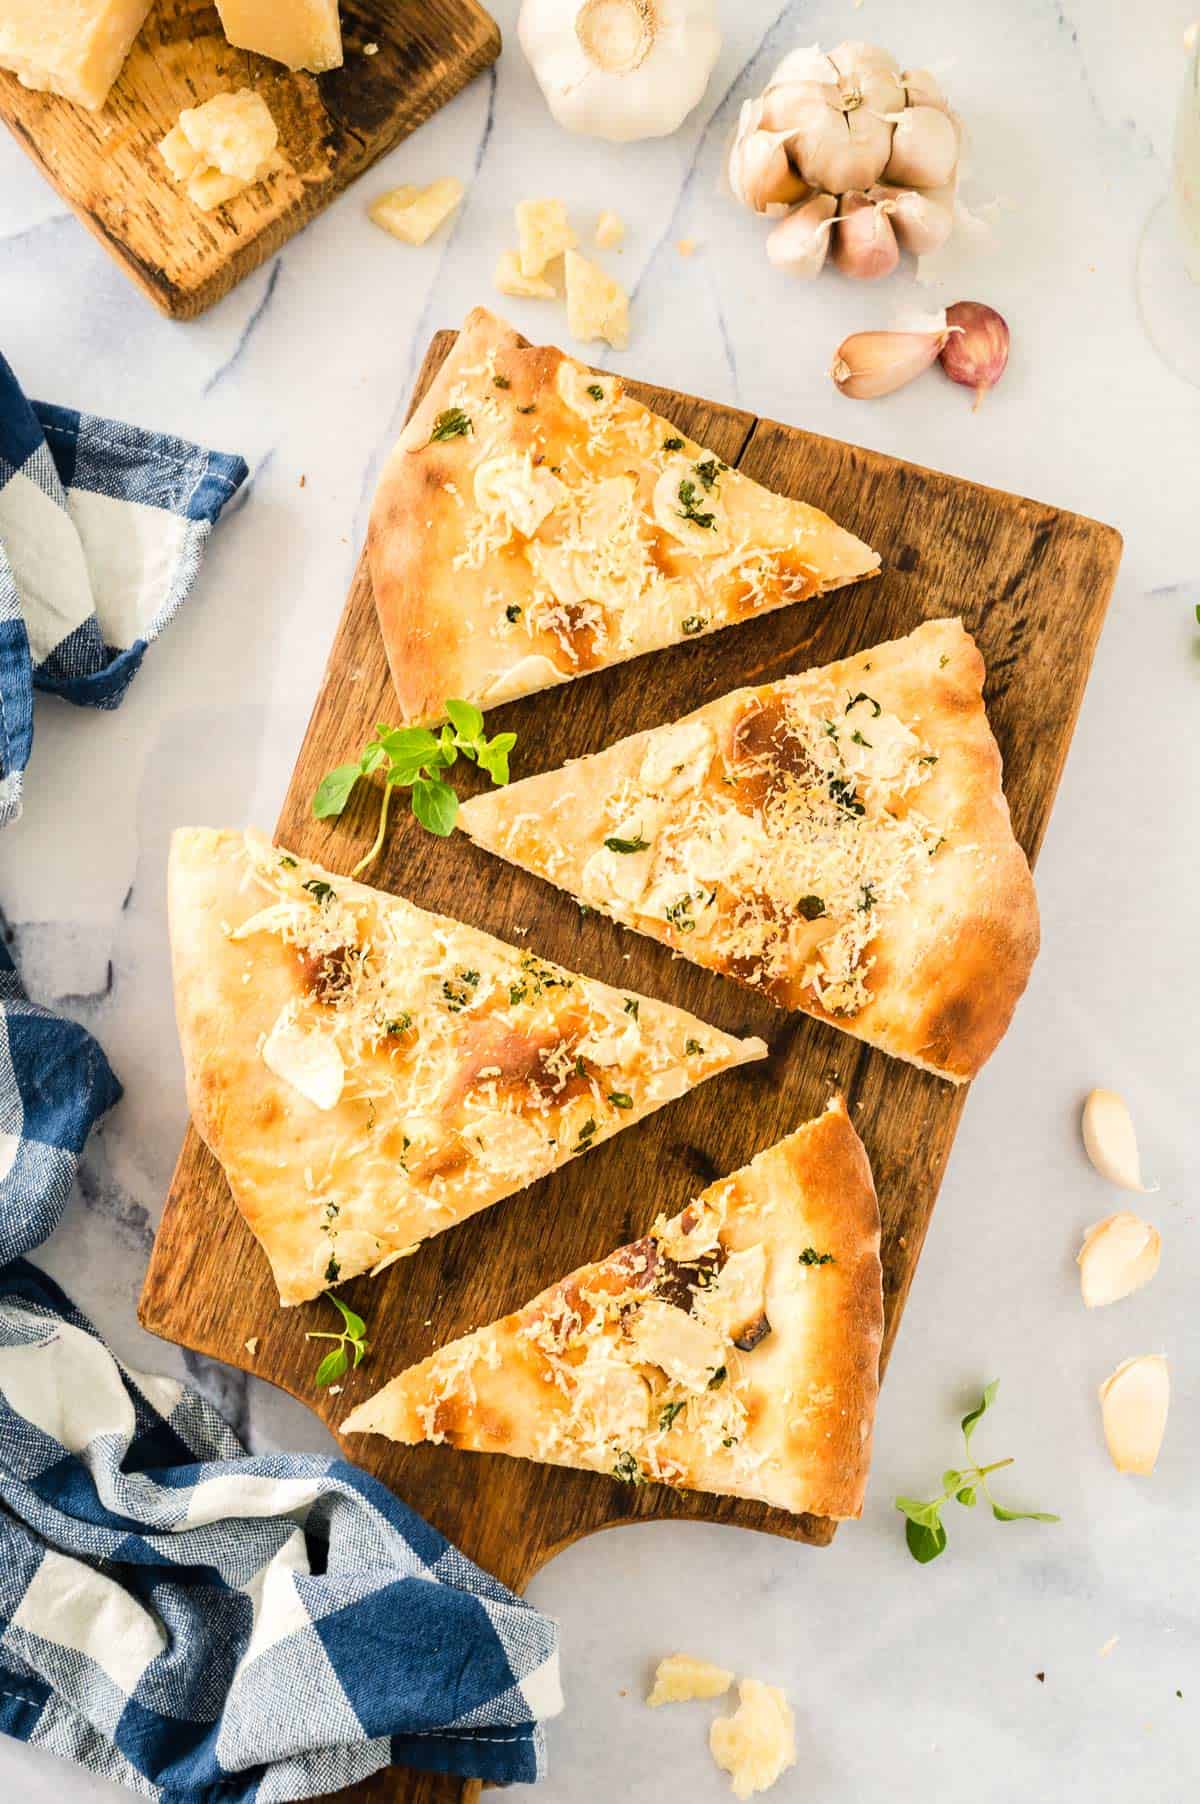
198 1625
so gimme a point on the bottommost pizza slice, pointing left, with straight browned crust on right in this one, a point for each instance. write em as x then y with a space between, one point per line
735 1348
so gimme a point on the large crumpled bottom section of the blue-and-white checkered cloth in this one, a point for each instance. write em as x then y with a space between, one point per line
205 1626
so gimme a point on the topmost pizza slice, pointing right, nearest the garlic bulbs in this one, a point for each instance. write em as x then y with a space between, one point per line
535 524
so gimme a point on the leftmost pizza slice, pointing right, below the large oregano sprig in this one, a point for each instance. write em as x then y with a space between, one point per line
371 1074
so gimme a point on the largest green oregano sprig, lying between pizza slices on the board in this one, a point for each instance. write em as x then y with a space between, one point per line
414 759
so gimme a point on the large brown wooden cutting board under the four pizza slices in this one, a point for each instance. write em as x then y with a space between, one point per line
1033 585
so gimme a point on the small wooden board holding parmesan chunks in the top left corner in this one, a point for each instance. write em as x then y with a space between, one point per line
107 169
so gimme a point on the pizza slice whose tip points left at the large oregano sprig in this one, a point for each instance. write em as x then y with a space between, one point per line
838 840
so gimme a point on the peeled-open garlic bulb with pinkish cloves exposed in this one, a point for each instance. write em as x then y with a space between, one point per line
878 142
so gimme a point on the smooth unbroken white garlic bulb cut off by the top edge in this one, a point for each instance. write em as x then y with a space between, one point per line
622 69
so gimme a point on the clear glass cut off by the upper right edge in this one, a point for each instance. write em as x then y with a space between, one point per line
1168 261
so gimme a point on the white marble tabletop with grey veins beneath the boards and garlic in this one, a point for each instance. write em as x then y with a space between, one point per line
909 1682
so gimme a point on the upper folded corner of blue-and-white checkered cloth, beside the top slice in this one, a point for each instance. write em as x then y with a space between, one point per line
102 533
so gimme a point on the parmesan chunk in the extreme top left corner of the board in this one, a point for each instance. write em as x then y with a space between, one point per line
77 50
